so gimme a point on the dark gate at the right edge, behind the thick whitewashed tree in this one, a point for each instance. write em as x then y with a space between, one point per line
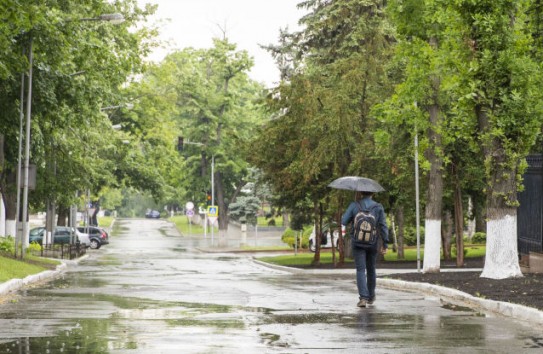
530 211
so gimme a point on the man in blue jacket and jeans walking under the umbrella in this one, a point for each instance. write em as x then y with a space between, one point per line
365 256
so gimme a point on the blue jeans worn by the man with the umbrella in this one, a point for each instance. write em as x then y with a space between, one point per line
366 277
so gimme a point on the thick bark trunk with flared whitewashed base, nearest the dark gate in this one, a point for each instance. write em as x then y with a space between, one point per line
501 259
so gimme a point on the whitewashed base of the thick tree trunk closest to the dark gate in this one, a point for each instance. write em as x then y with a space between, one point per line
501 259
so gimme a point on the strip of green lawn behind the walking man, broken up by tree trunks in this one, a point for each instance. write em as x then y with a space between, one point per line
305 259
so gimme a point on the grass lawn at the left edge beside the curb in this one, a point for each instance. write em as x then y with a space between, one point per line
11 268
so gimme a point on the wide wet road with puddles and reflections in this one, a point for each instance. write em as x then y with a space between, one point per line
152 291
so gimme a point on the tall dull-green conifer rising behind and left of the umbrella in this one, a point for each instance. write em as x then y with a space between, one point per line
325 127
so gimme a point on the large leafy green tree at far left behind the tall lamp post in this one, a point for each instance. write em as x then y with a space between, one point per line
78 66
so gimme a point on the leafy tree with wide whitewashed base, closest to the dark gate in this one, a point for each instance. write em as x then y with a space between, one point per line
502 95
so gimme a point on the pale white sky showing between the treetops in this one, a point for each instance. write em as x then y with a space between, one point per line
248 23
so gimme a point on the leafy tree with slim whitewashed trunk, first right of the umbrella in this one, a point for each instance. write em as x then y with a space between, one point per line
420 26
